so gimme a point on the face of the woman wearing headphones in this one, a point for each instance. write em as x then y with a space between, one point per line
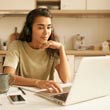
41 29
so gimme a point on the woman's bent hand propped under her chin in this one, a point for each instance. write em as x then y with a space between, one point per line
51 44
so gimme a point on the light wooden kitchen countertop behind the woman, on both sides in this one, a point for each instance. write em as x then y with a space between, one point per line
77 52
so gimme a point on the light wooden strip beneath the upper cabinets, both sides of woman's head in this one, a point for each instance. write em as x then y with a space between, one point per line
61 13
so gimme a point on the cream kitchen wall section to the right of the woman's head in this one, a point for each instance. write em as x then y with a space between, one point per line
95 30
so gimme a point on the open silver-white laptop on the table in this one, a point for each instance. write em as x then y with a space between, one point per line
91 81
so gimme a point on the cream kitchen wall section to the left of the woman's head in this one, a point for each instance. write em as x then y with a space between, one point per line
7 25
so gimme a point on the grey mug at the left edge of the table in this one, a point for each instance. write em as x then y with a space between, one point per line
4 82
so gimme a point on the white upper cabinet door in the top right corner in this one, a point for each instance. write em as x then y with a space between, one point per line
97 4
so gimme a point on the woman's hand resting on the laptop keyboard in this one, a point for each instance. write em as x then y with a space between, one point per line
50 85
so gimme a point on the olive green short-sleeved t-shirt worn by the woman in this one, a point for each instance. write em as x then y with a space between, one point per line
31 63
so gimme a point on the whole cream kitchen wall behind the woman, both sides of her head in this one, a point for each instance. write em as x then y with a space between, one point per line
95 29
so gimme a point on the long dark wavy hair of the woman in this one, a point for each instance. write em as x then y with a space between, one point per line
26 33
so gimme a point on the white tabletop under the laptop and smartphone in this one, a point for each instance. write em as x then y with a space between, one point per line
37 103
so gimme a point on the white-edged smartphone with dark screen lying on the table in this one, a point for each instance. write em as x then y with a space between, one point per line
16 99
